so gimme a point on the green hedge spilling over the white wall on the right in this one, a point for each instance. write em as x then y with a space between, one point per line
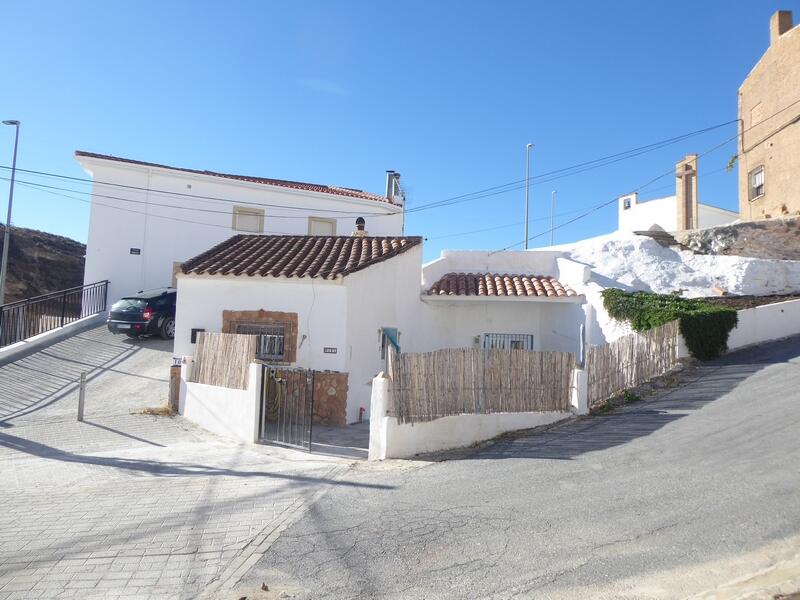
704 326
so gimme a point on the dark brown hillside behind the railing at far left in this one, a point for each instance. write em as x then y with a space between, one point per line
40 262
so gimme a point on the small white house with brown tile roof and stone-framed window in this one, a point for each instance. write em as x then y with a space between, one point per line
326 297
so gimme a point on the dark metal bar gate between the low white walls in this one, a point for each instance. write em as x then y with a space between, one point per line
287 406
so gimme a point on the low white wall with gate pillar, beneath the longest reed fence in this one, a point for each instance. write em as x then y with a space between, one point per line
389 439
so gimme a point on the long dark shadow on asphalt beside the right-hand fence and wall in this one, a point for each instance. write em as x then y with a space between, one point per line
704 383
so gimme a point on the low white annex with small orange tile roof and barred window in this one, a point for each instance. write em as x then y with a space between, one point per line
499 300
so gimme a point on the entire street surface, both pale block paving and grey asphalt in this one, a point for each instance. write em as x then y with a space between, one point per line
670 498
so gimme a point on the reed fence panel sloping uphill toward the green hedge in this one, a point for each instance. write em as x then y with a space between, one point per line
630 361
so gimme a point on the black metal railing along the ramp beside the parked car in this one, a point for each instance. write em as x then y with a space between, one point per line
26 318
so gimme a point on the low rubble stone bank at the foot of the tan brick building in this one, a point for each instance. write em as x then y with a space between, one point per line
773 238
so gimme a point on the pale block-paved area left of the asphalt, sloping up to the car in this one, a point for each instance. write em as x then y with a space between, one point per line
130 505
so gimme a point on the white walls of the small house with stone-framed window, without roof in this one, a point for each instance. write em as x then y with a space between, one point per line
345 314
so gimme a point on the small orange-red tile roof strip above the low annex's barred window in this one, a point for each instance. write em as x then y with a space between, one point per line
494 284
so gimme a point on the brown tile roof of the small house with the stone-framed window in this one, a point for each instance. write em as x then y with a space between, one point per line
297 255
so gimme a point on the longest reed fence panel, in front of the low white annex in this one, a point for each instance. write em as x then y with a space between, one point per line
455 381
